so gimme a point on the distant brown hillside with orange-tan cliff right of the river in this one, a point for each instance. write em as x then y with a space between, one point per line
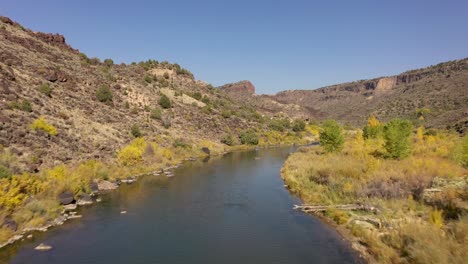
442 89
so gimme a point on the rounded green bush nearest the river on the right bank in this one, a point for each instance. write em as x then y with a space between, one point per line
331 136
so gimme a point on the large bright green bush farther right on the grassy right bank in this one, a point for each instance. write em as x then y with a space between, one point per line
397 138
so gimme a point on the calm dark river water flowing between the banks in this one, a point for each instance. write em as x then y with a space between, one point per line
232 209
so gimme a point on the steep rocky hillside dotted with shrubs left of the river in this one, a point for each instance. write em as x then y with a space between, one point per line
59 106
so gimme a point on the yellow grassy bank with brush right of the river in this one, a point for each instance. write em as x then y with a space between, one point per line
422 197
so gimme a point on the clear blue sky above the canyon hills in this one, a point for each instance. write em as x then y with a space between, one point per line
278 45
